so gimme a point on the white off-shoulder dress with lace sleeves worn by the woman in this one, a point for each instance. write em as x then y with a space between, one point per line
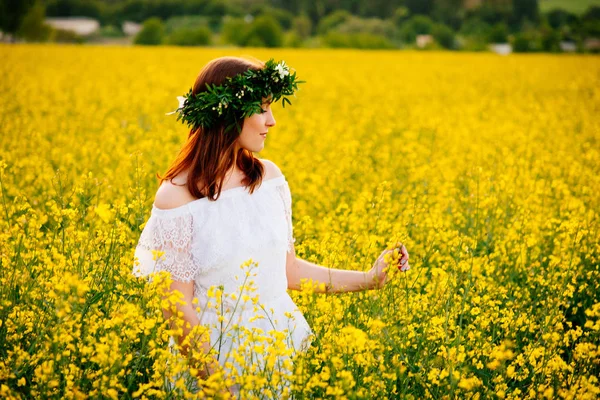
207 241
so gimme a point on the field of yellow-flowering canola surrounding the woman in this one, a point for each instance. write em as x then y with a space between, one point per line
488 167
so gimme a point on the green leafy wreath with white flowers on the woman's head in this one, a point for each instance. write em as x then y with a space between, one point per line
239 97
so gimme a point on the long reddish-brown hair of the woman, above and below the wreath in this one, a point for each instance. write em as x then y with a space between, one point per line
209 153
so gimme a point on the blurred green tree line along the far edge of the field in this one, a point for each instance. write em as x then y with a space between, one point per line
330 23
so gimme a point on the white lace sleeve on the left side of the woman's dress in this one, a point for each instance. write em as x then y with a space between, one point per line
165 245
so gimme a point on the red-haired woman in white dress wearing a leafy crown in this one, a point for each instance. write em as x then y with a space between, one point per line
218 207
